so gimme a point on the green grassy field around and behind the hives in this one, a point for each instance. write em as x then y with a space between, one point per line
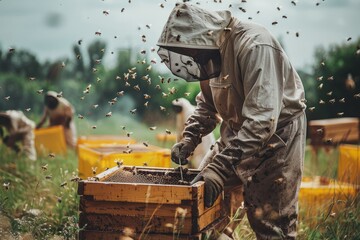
38 199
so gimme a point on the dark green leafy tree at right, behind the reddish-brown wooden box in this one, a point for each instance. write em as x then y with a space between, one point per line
334 87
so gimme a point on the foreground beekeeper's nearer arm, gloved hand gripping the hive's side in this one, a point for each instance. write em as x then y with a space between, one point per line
263 77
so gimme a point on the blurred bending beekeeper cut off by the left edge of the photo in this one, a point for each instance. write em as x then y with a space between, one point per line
19 128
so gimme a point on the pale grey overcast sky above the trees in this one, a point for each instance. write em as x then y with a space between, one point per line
49 28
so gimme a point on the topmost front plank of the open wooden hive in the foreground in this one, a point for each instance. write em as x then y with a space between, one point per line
130 192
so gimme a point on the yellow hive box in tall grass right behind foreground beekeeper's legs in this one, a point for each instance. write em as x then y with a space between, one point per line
319 195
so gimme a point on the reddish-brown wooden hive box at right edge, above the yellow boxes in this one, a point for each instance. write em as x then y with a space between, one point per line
337 130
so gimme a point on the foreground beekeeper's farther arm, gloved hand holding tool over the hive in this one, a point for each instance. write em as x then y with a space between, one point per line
202 122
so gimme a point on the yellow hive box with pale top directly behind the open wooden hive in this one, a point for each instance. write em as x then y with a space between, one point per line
101 157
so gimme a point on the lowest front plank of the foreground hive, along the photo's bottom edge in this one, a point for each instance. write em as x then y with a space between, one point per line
99 235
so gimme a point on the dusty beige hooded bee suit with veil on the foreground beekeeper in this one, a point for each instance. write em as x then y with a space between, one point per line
247 79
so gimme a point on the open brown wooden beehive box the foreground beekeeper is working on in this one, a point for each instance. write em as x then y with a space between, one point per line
145 203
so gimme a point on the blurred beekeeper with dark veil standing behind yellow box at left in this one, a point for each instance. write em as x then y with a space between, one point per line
60 112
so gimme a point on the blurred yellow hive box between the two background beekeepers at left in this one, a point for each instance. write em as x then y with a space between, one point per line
50 140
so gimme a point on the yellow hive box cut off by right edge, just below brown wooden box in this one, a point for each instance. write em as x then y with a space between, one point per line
349 164
